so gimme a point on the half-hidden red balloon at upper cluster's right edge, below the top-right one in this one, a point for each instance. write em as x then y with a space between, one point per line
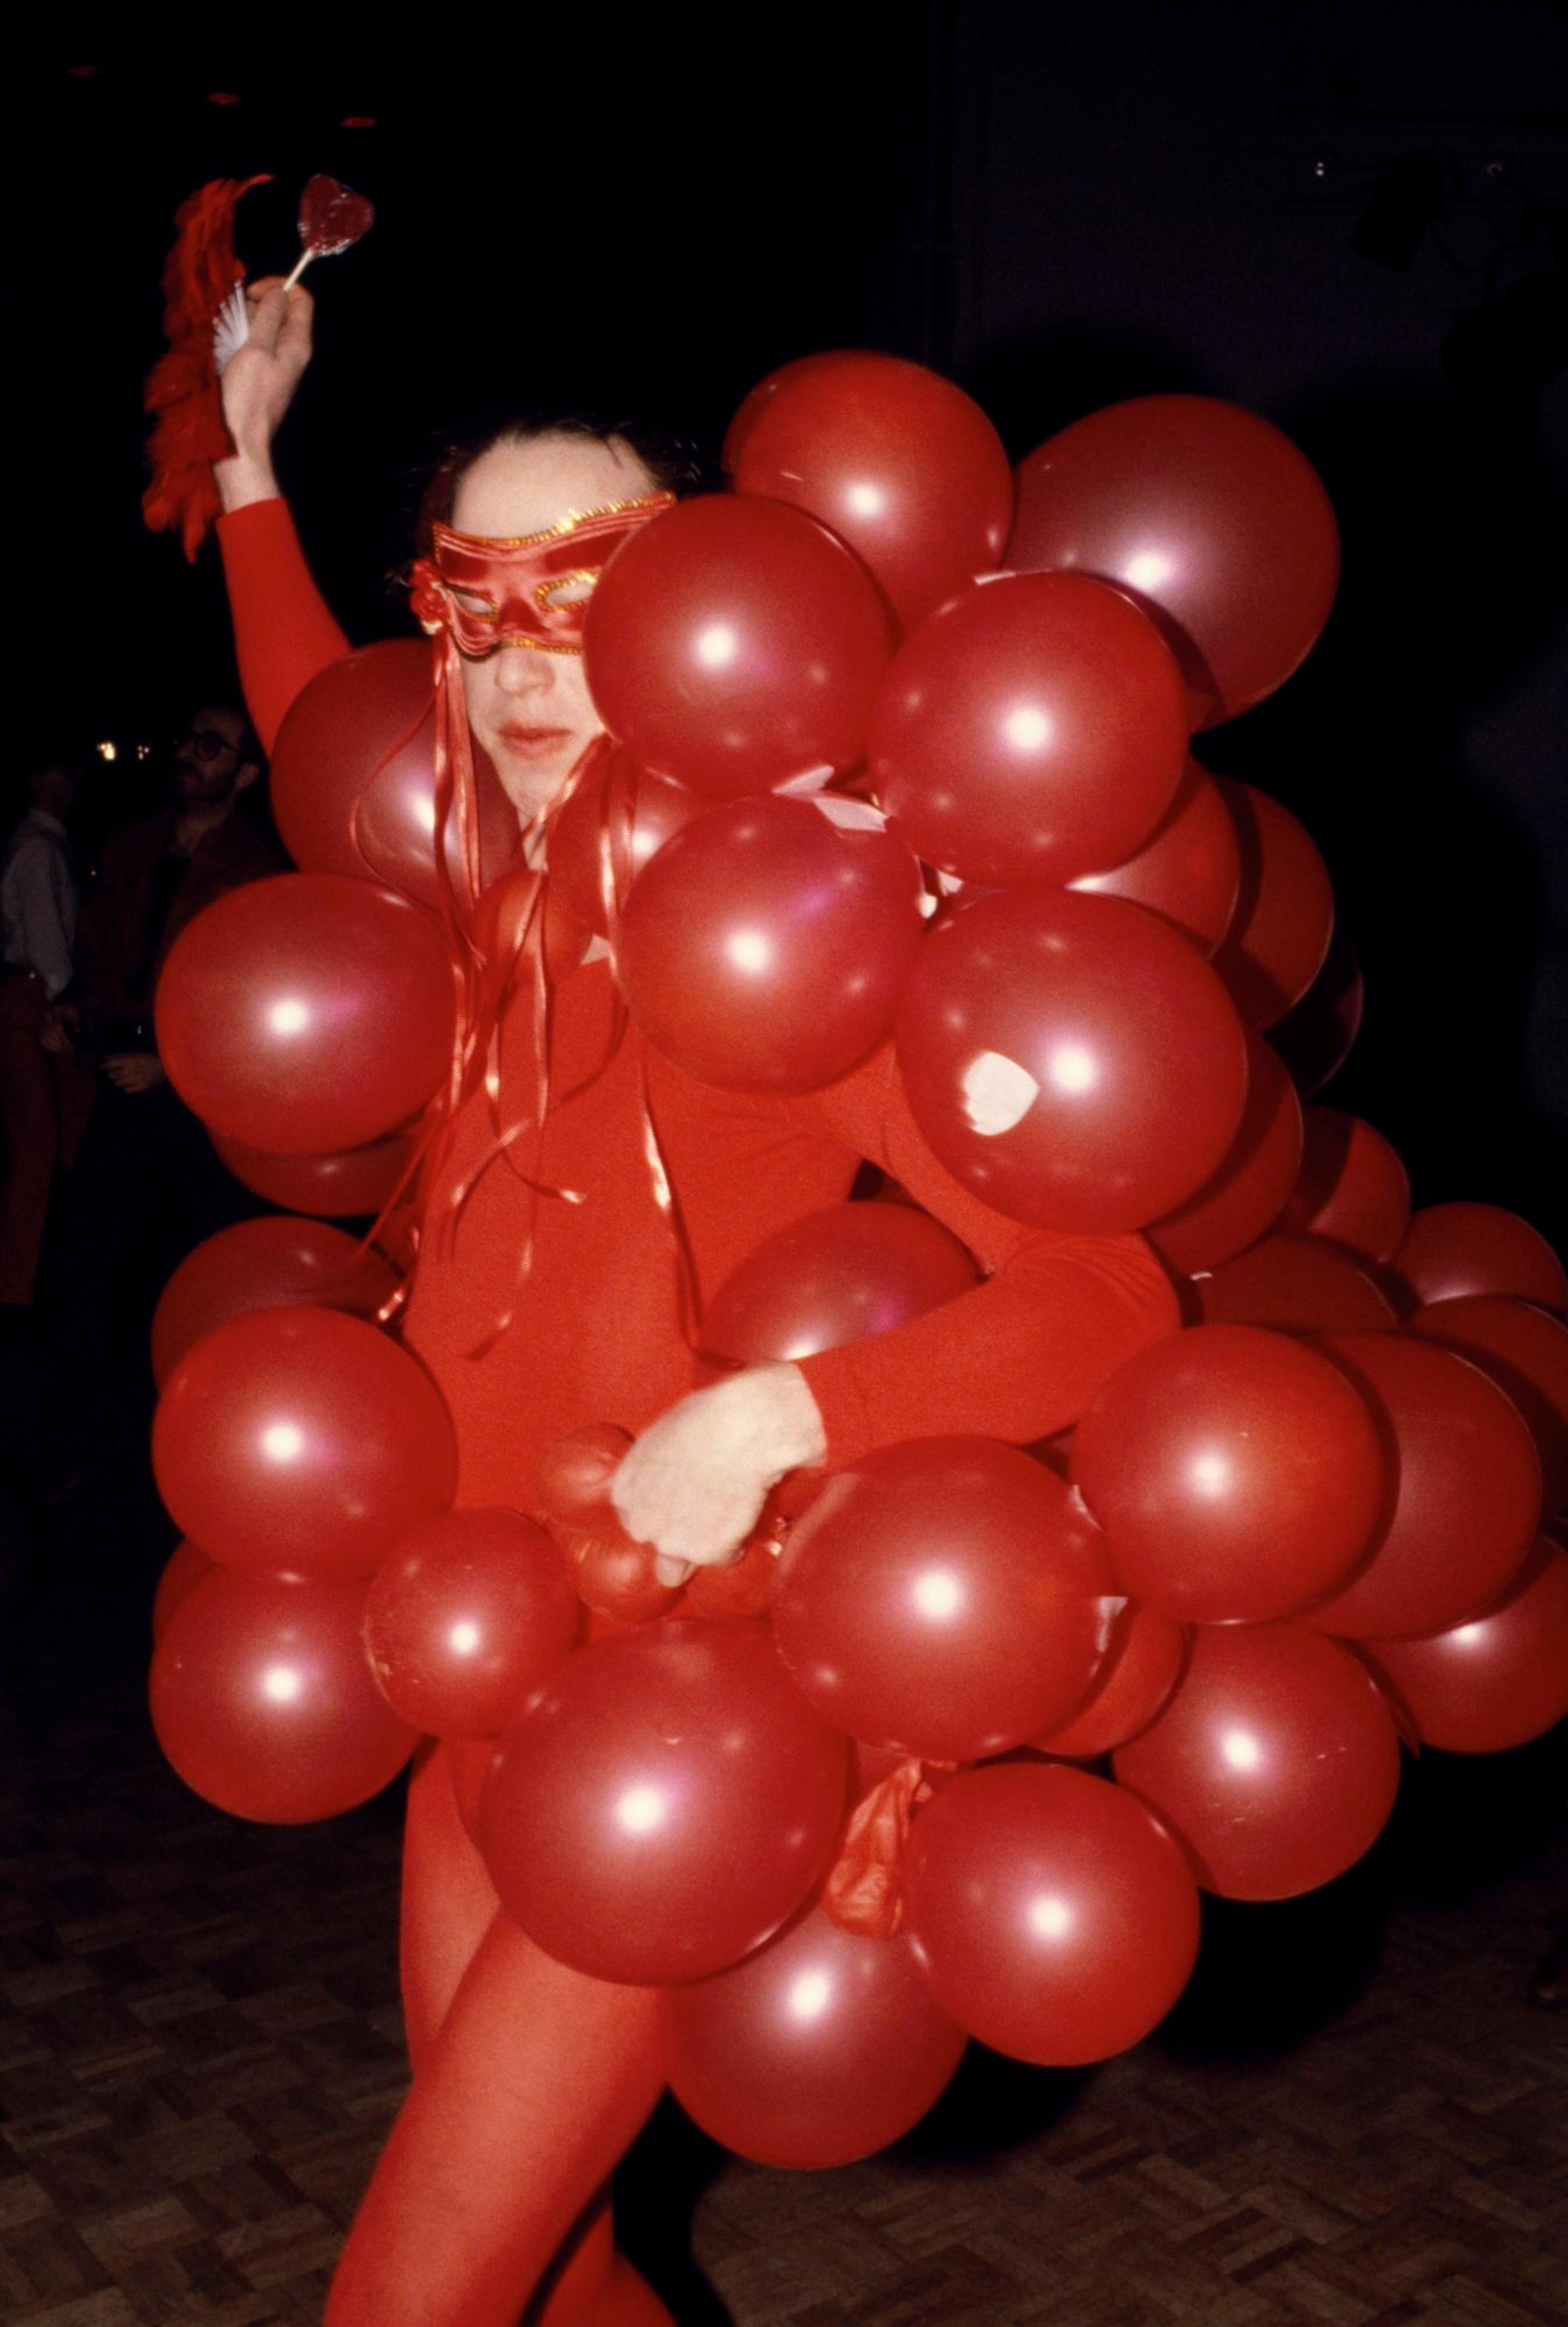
1278 939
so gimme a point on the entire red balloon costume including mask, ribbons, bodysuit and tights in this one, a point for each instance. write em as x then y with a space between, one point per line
634 1172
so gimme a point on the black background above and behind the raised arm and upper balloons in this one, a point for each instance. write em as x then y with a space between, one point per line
1348 218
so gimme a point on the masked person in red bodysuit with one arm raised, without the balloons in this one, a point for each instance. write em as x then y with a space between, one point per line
532 2079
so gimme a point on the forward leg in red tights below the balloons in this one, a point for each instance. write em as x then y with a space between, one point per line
532 2093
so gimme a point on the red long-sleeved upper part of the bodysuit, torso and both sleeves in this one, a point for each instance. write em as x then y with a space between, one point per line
597 1332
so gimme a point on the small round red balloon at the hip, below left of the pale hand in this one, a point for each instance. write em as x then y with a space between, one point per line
466 1618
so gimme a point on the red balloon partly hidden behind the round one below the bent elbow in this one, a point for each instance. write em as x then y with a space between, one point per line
1467 1490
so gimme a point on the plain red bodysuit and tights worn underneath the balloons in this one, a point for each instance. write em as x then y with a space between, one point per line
534 2079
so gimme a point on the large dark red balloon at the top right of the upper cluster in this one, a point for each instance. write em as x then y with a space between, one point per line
1209 518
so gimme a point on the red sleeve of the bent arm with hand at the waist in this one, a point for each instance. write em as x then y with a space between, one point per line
1025 1353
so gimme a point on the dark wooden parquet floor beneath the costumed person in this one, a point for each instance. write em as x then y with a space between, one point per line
1353 2121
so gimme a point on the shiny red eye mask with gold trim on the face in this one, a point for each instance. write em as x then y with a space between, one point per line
525 595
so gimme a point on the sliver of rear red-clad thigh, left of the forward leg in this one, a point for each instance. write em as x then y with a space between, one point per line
448 1902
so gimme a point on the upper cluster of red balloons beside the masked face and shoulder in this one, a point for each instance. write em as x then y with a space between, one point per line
857 613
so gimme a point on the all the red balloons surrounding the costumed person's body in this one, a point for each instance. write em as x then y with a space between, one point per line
901 753
